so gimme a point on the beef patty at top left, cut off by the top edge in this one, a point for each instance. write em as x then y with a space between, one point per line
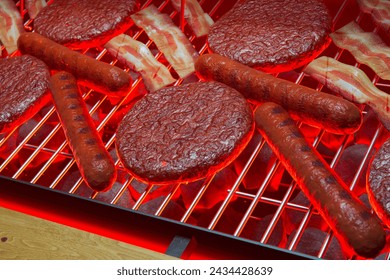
81 24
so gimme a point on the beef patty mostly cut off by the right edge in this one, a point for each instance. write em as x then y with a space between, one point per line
378 187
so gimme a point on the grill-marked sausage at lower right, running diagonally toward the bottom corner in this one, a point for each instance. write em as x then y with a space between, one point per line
353 224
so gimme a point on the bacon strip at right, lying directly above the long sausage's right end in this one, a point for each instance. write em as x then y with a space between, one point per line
352 83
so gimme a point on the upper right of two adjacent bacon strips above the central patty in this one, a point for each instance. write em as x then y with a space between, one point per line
169 39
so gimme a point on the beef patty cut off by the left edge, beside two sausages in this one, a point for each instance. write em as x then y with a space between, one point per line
24 82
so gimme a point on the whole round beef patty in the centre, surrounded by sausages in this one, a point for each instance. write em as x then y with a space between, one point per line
183 133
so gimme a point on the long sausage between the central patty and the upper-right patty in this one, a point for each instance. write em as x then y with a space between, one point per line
320 109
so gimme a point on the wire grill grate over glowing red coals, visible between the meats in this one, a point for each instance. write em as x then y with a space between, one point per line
269 209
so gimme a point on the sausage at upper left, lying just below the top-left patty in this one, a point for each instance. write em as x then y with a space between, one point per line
102 76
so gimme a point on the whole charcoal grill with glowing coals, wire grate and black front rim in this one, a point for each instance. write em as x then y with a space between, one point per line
250 210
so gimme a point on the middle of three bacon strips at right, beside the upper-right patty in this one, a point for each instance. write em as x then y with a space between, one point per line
367 48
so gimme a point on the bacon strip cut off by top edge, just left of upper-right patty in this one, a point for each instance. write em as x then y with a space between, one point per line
197 19
